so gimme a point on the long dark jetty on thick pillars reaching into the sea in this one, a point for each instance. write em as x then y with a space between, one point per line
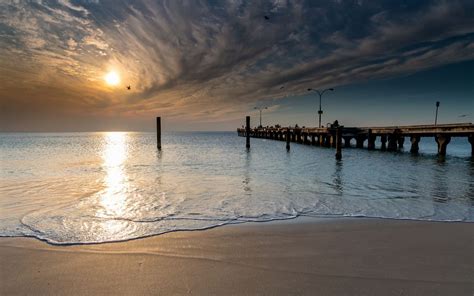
392 138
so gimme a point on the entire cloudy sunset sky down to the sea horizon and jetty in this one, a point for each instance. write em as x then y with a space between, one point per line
205 65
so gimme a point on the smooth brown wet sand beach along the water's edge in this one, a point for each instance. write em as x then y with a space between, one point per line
303 257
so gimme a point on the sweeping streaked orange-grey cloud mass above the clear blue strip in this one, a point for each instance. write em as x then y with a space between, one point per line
213 59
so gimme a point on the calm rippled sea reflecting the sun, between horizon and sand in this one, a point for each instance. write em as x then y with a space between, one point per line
96 187
